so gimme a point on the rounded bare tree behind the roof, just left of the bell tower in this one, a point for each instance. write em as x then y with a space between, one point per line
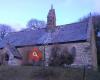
34 23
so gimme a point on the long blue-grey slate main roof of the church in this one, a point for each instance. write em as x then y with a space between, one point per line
63 33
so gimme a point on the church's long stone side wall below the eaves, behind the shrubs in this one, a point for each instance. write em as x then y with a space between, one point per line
82 52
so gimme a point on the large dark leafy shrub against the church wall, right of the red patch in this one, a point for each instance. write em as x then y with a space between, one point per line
60 57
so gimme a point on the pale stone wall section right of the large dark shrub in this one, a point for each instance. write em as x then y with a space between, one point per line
83 53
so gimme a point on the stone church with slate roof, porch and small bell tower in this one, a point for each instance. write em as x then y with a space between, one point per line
80 36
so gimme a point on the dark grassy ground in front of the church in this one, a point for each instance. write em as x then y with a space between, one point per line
48 73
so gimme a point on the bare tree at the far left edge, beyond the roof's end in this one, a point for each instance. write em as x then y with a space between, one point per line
4 29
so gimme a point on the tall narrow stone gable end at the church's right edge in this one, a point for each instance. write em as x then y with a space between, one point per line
91 38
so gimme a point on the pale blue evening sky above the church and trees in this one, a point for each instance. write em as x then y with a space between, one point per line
17 13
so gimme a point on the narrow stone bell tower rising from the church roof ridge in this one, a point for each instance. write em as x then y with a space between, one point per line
51 19
